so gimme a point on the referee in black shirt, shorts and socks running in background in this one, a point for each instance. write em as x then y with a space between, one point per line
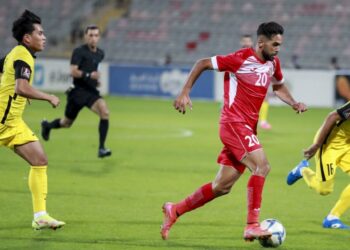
84 69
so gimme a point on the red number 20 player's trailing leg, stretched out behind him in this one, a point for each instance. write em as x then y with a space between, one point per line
222 184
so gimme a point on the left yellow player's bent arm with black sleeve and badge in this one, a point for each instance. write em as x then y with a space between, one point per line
23 88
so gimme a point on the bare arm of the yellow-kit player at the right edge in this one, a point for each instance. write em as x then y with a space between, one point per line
325 129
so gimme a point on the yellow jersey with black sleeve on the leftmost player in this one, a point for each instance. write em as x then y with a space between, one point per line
19 63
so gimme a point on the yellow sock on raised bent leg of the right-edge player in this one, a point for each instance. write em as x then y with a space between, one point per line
322 188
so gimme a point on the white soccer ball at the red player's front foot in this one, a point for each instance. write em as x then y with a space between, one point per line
278 233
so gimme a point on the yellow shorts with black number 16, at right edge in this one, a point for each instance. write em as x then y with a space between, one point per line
332 155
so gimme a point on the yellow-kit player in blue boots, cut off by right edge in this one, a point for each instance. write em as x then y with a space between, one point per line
331 148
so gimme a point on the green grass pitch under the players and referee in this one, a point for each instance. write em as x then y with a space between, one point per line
159 155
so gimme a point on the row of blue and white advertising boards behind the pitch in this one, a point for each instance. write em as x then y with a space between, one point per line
314 87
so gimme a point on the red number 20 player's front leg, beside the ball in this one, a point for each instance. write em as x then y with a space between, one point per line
257 162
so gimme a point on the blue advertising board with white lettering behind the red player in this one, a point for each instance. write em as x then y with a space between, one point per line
157 81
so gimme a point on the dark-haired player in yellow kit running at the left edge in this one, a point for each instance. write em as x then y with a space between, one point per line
17 69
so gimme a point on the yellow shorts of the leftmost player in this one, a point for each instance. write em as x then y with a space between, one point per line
18 135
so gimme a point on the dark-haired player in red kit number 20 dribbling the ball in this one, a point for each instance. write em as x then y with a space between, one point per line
245 88
